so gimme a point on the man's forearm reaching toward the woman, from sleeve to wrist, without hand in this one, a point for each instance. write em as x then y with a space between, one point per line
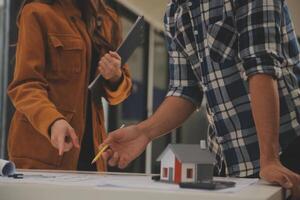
170 115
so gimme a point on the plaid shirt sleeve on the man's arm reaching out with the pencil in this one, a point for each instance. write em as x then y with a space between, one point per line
182 81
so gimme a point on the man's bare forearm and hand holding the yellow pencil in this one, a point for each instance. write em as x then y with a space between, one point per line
128 143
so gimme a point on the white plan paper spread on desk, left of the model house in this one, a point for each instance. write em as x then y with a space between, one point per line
91 180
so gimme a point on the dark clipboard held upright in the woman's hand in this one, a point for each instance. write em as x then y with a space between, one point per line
134 38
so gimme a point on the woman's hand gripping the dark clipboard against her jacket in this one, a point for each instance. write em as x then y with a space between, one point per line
110 67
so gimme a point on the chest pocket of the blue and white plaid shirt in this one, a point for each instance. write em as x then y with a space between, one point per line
222 40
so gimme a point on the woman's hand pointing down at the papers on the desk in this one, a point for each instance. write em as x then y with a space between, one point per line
63 136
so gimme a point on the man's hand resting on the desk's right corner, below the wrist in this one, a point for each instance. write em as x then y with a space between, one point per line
275 172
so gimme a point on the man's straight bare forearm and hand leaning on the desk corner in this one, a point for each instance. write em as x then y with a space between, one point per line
265 108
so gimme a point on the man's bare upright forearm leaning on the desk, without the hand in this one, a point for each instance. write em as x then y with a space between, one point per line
265 110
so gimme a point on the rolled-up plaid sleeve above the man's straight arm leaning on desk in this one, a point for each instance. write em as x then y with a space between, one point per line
259 28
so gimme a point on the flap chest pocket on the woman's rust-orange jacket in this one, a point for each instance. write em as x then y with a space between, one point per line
65 54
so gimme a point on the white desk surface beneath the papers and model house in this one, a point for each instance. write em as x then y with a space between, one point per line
15 190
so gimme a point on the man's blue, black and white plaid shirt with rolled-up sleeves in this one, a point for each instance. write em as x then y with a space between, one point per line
214 47
